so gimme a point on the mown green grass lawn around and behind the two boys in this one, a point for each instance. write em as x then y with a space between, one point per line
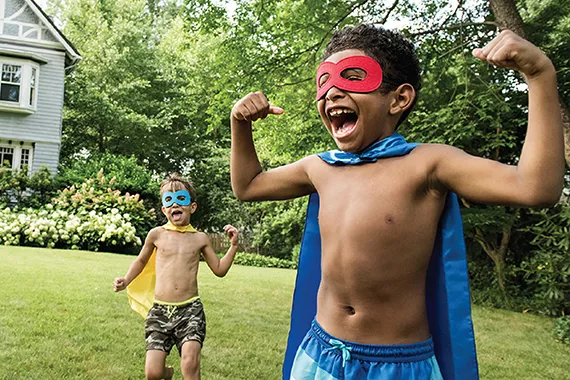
59 319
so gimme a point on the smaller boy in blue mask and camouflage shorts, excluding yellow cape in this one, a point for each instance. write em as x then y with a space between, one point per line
177 316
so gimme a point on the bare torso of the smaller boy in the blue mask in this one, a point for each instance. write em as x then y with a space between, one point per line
177 260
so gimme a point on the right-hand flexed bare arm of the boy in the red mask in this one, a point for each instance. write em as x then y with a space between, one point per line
538 178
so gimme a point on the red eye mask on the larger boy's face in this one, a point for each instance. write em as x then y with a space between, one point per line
371 82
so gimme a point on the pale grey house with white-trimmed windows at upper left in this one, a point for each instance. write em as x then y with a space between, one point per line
34 57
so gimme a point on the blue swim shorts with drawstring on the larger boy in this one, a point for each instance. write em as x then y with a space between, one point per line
324 357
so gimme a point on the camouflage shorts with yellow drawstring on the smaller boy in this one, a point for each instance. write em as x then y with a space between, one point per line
168 325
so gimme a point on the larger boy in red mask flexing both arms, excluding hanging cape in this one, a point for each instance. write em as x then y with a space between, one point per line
378 218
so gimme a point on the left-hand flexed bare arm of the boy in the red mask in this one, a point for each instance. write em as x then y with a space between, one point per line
249 181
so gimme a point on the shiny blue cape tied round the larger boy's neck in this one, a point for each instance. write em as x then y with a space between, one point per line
447 290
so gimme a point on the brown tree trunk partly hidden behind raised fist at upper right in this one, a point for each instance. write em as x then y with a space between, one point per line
507 16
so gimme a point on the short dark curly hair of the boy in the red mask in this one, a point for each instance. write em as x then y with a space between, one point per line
395 53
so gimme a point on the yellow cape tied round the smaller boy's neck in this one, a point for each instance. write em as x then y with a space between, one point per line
141 290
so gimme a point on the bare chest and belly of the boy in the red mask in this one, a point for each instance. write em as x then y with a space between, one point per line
378 224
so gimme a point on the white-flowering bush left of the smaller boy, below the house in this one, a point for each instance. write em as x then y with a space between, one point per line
93 216
